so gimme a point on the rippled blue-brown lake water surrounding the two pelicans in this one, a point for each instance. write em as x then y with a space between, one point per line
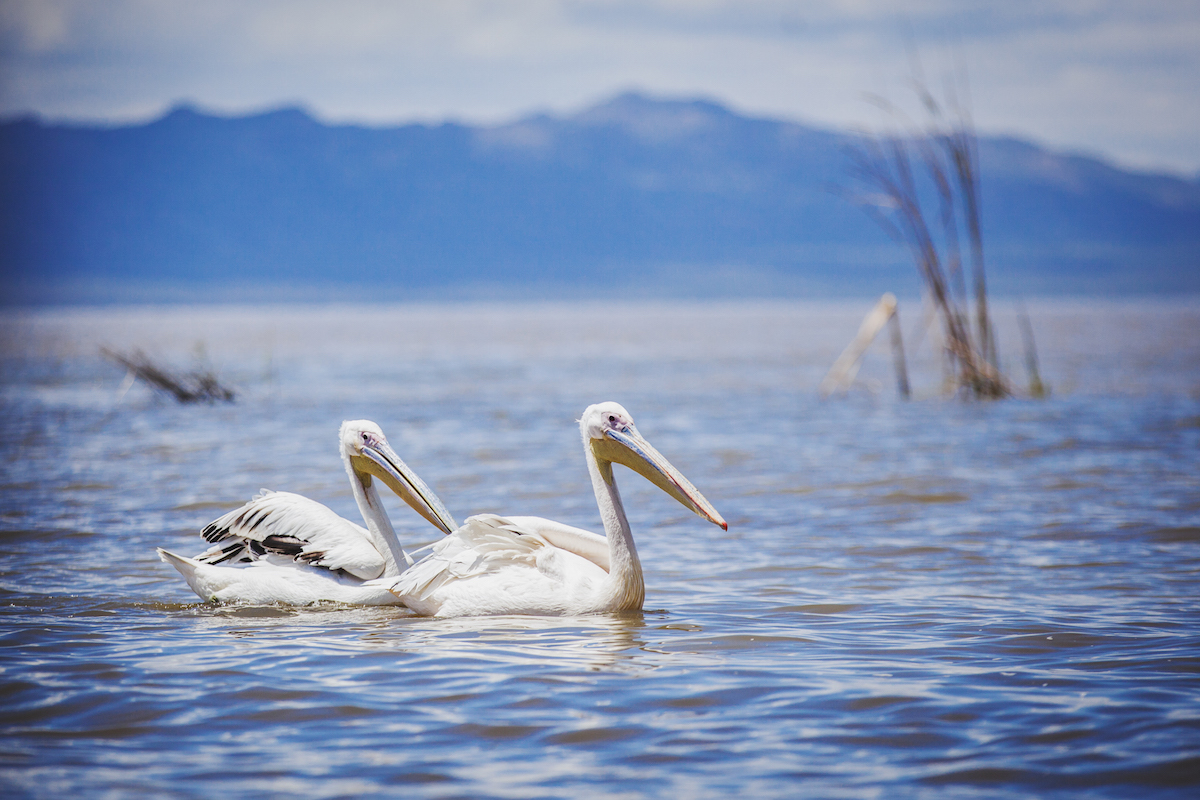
935 599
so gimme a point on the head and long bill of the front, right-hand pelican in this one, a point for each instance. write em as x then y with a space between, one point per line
609 431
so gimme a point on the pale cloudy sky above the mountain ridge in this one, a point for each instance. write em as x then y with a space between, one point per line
1112 79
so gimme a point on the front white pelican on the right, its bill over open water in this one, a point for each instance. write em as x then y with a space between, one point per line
530 566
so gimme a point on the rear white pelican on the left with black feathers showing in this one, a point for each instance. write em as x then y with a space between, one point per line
296 551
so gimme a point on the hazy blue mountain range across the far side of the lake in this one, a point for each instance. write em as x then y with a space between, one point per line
633 199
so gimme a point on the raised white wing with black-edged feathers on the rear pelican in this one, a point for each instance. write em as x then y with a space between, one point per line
292 525
